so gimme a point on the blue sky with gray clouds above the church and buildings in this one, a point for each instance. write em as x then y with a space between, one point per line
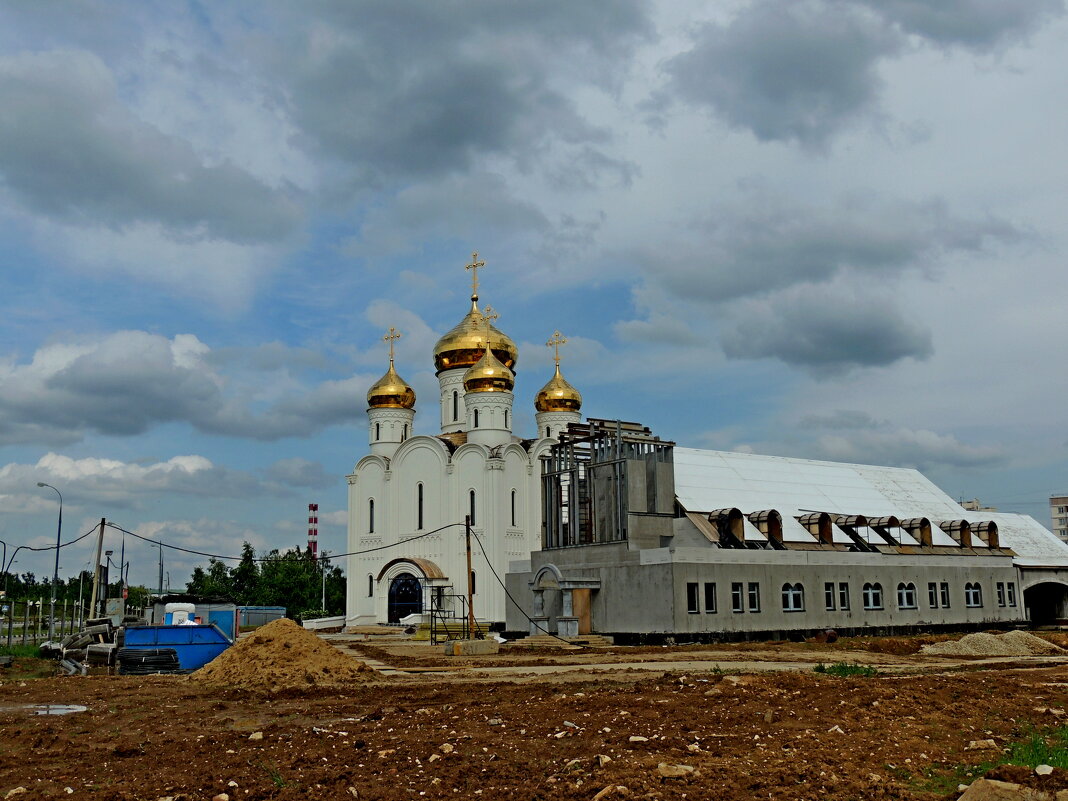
825 229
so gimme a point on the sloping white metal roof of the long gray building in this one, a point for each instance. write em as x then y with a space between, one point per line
714 480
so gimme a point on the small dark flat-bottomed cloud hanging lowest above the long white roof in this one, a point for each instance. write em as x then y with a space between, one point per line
810 328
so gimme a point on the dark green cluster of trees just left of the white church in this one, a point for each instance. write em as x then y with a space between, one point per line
292 579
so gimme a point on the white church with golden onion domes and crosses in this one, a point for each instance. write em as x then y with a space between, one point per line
410 496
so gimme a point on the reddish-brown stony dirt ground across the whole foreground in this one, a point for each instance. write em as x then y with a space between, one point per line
592 723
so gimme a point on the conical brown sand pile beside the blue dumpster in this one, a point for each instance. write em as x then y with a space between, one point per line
281 656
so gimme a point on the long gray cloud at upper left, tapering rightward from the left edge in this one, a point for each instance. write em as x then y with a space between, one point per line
70 150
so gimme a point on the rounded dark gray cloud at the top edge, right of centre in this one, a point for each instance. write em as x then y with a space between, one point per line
787 70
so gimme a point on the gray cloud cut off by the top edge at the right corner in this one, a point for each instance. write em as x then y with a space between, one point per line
979 25
